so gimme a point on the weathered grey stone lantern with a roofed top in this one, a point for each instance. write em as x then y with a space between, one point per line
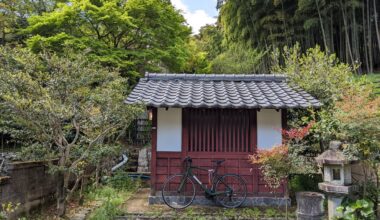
337 178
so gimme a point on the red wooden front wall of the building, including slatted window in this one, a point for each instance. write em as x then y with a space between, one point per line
210 134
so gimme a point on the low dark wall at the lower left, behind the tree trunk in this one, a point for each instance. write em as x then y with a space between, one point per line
27 183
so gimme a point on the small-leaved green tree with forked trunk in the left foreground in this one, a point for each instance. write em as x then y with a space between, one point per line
71 107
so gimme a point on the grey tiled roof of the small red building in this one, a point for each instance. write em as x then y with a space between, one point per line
219 91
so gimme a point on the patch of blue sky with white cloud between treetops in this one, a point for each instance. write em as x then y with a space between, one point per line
197 12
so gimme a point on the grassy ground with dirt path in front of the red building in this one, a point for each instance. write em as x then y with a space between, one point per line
126 205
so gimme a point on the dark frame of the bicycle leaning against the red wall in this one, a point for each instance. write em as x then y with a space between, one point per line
215 178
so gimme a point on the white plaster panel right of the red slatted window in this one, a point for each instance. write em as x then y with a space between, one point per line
268 128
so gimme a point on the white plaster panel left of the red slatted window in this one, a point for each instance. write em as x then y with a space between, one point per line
169 129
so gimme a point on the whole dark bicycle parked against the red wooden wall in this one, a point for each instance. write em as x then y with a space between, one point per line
229 190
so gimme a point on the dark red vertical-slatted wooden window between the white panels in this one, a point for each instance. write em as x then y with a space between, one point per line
218 130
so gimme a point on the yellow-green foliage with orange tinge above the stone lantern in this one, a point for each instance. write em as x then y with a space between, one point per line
350 111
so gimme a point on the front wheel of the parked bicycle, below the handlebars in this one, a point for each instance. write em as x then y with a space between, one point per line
178 191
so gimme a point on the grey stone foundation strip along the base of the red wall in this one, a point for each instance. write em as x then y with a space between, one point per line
249 202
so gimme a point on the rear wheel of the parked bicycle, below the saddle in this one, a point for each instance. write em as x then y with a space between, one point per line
232 190
